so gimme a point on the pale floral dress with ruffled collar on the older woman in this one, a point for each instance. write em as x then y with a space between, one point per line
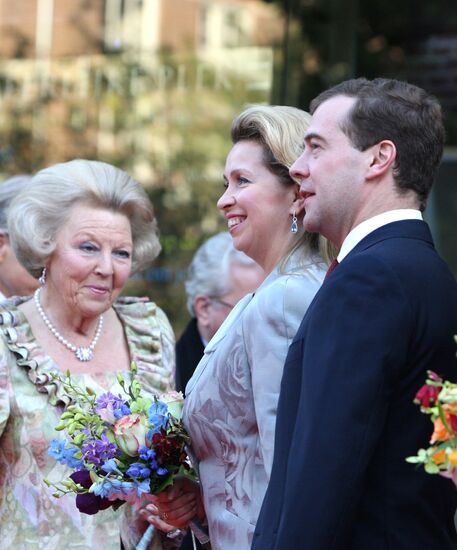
31 403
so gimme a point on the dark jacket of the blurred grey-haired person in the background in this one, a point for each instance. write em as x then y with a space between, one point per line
189 351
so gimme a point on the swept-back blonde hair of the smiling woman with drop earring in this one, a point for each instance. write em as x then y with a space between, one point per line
281 130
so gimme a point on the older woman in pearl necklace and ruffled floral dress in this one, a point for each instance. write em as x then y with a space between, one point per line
84 227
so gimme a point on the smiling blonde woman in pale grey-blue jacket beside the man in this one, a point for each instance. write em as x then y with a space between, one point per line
231 402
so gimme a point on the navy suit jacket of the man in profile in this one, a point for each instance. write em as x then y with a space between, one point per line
346 419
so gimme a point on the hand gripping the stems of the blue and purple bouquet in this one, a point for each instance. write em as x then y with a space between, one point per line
176 506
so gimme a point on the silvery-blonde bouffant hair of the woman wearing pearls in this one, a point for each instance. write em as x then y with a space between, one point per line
37 214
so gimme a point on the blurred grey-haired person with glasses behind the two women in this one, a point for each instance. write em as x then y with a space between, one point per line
218 277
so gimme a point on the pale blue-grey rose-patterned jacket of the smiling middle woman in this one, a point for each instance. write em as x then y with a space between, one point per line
231 400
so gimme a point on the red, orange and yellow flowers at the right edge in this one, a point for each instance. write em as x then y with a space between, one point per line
438 398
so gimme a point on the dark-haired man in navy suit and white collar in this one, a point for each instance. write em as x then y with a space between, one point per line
386 314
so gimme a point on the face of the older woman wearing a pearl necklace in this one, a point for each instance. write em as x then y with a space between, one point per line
92 260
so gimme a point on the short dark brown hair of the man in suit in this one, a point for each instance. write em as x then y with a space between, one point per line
405 114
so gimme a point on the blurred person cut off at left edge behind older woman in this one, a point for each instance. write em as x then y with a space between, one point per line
14 279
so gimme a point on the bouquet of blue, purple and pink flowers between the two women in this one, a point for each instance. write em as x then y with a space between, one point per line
121 448
